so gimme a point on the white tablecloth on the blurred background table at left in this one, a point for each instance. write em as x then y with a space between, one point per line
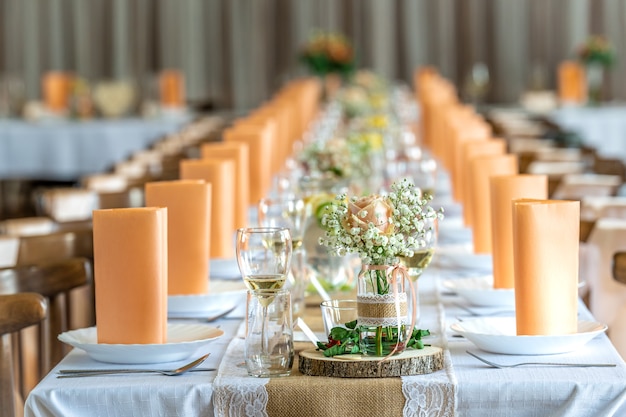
66 150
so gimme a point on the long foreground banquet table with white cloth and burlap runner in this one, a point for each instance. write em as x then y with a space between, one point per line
465 387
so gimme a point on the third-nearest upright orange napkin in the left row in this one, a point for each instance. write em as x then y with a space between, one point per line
220 173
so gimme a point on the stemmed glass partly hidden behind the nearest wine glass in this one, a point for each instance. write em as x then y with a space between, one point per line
290 212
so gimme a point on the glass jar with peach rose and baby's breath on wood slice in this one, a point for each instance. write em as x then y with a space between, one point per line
381 228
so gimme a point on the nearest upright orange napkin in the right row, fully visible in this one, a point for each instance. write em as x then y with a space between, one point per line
545 245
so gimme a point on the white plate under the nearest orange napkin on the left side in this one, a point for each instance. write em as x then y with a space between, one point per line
183 340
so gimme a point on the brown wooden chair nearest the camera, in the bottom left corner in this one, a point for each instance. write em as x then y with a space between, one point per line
17 311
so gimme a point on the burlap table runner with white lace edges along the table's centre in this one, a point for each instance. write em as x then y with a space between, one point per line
301 395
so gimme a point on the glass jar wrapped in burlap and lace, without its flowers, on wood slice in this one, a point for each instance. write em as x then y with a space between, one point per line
385 323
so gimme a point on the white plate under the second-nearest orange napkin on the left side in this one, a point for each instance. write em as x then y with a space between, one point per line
203 305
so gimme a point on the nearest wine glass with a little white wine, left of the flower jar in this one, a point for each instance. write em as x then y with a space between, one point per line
264 258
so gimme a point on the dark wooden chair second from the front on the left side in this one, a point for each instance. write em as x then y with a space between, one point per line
54 281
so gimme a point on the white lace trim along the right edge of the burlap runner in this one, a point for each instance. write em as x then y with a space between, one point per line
434 396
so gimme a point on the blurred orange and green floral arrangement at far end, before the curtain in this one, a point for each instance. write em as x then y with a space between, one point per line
328 53
